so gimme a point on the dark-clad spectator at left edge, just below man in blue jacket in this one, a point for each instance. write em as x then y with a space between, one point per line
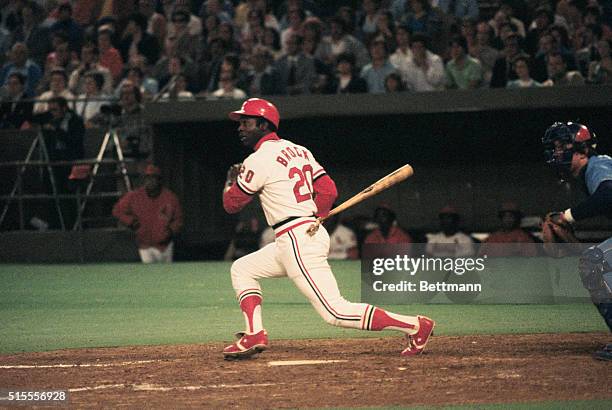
15 109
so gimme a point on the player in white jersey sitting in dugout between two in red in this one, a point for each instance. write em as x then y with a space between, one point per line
449 241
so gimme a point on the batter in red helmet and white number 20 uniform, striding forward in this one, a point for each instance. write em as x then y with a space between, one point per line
293 189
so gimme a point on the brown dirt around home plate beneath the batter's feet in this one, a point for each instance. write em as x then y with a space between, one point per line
364 372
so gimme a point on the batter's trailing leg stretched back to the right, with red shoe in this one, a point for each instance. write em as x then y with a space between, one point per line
305 259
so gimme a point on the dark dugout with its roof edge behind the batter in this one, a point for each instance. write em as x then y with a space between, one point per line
475 149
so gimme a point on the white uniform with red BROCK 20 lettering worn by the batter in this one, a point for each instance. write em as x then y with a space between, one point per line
282 174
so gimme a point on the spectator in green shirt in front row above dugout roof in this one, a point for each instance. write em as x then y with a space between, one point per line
462 71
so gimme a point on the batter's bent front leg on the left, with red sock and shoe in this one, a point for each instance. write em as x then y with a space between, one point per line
245 273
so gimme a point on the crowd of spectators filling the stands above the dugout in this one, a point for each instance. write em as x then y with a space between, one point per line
180 49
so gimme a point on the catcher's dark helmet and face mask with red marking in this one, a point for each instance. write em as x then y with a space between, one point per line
561 140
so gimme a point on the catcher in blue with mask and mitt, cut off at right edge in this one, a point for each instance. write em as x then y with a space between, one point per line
570 147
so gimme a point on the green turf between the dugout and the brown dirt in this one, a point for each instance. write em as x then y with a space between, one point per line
47 307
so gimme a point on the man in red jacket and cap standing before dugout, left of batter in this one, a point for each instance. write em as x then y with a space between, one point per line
154 213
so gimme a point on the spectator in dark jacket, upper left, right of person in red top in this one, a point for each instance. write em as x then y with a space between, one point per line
136 40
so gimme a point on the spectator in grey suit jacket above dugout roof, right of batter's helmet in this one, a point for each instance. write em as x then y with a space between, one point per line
297 70
